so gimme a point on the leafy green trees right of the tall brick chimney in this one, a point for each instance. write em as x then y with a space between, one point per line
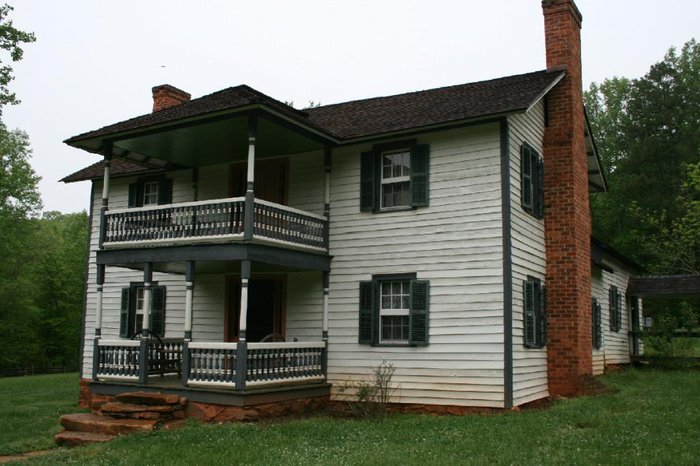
648 135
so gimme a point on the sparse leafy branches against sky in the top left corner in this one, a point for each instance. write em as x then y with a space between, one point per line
11 40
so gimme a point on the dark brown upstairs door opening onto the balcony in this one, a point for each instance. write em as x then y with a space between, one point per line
271 180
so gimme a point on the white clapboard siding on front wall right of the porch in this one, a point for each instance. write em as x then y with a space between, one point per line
456 244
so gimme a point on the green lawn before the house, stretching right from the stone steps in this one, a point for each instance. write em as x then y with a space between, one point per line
652 418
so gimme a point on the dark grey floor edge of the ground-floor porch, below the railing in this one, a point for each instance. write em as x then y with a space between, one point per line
249 397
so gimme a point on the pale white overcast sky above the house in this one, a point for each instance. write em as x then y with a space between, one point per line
94 62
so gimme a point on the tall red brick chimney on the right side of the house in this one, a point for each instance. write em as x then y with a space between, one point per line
567 213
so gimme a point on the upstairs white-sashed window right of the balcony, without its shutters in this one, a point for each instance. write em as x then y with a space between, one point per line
396 179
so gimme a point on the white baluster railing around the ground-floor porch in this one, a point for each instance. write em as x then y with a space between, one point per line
217 365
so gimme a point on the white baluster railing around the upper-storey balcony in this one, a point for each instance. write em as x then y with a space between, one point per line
219 219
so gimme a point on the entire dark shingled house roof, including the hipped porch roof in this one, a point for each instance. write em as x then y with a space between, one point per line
360 118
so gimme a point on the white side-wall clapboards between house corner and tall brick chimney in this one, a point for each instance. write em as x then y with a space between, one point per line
528 257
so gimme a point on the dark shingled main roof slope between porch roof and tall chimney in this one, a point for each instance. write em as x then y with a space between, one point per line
435 106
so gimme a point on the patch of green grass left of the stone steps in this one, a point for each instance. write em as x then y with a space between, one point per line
30 408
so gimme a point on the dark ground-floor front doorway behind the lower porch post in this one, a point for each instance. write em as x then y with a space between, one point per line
265 307
